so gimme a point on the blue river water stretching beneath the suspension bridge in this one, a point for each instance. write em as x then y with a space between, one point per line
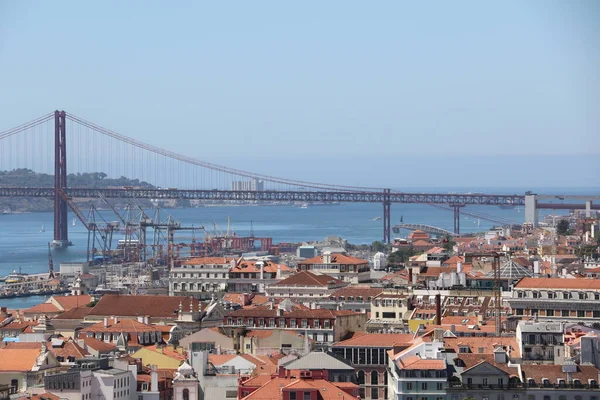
23 244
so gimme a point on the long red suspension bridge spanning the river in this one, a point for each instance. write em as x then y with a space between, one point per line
46 144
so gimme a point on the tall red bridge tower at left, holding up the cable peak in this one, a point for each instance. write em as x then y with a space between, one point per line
61 233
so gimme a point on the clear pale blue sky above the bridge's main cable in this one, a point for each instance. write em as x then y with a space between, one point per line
389 93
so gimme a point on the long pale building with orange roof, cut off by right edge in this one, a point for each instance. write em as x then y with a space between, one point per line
557 299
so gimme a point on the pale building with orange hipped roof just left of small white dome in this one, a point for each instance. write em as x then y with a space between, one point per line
340 266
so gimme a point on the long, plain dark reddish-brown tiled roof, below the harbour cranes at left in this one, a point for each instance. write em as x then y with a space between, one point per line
153 306
